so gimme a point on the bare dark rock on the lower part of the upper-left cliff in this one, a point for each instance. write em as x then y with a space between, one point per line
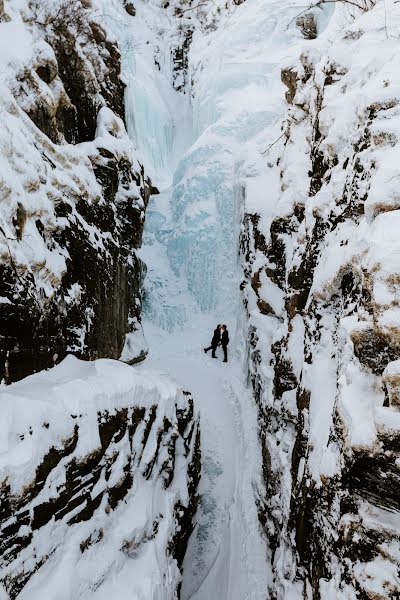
37 332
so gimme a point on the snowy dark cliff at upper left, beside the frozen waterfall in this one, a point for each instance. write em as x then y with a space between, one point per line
72 192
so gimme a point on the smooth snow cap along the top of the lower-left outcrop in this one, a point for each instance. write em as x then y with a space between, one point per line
53 398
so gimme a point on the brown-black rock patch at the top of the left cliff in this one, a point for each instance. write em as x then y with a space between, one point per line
82 70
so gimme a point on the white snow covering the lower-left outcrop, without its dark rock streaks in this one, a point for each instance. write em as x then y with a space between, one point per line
125 555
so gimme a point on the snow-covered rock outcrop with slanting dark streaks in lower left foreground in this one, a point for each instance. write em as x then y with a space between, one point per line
99 466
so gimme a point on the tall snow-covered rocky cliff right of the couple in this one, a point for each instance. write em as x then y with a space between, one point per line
321 291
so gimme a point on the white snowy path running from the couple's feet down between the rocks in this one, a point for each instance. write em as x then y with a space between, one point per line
226 558
